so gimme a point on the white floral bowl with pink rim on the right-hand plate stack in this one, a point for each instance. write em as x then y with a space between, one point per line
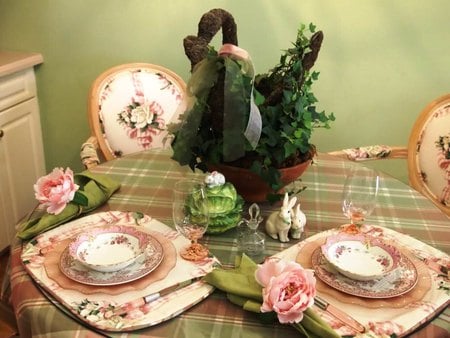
360 257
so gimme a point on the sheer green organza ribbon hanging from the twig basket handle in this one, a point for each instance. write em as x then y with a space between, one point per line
239 108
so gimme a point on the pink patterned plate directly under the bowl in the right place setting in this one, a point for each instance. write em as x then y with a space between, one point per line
395 283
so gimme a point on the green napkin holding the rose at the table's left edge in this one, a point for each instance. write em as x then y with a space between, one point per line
96 187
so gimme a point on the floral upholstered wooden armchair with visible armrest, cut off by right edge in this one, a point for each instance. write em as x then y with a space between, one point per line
427 153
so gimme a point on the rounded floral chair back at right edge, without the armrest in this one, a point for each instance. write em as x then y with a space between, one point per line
429 153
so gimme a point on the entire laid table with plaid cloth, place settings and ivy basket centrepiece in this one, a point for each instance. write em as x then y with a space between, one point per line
143 246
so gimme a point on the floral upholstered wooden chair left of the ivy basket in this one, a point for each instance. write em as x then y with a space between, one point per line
129 107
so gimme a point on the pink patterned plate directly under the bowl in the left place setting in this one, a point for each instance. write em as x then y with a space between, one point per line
141 266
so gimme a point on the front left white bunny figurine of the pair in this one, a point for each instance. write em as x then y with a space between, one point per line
279 222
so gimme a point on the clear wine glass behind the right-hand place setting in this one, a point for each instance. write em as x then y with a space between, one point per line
360 194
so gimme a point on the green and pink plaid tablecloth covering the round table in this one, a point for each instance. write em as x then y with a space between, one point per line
147 179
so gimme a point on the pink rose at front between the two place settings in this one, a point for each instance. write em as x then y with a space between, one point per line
288 289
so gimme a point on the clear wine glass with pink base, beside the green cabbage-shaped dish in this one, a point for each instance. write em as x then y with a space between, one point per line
190 215
